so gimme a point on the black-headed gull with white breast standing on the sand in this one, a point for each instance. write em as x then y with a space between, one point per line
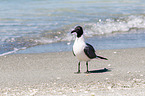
83 51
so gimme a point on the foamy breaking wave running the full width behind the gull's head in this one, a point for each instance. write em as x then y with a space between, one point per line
96 27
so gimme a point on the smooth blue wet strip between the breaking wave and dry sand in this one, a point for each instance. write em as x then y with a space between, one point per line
122 40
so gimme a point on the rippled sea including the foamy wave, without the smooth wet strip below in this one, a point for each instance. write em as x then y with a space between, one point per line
39 25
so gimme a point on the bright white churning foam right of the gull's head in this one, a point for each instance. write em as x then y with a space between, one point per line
112 25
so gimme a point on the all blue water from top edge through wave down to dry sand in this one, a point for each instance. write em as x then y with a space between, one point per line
44 25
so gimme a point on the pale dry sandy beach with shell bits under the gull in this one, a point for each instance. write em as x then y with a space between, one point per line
47 74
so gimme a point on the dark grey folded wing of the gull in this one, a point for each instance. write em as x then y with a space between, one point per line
90 51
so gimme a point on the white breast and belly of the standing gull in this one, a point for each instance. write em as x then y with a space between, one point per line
78 49
